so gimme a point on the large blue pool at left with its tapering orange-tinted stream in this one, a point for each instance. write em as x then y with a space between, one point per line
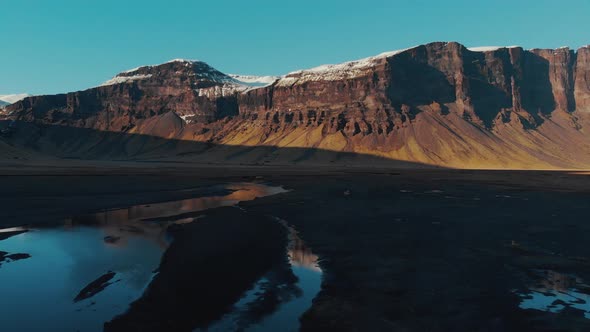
37 293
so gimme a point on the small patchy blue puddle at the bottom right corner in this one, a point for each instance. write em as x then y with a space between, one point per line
553 292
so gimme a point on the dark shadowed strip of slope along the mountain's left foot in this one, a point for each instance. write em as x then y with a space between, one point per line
36 143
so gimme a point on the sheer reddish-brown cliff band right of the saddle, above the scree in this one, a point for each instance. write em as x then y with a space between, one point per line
484 86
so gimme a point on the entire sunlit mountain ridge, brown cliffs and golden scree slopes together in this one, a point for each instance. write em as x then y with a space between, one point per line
439 104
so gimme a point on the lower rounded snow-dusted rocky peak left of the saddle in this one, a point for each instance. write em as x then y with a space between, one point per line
187 88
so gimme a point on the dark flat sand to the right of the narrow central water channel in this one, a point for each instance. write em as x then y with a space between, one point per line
438 253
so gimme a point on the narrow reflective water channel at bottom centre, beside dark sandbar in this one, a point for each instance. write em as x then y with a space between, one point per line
277 300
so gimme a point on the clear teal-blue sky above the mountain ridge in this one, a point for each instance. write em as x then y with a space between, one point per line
67 45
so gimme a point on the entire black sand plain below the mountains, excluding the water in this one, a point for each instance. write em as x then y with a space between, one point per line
401 250
